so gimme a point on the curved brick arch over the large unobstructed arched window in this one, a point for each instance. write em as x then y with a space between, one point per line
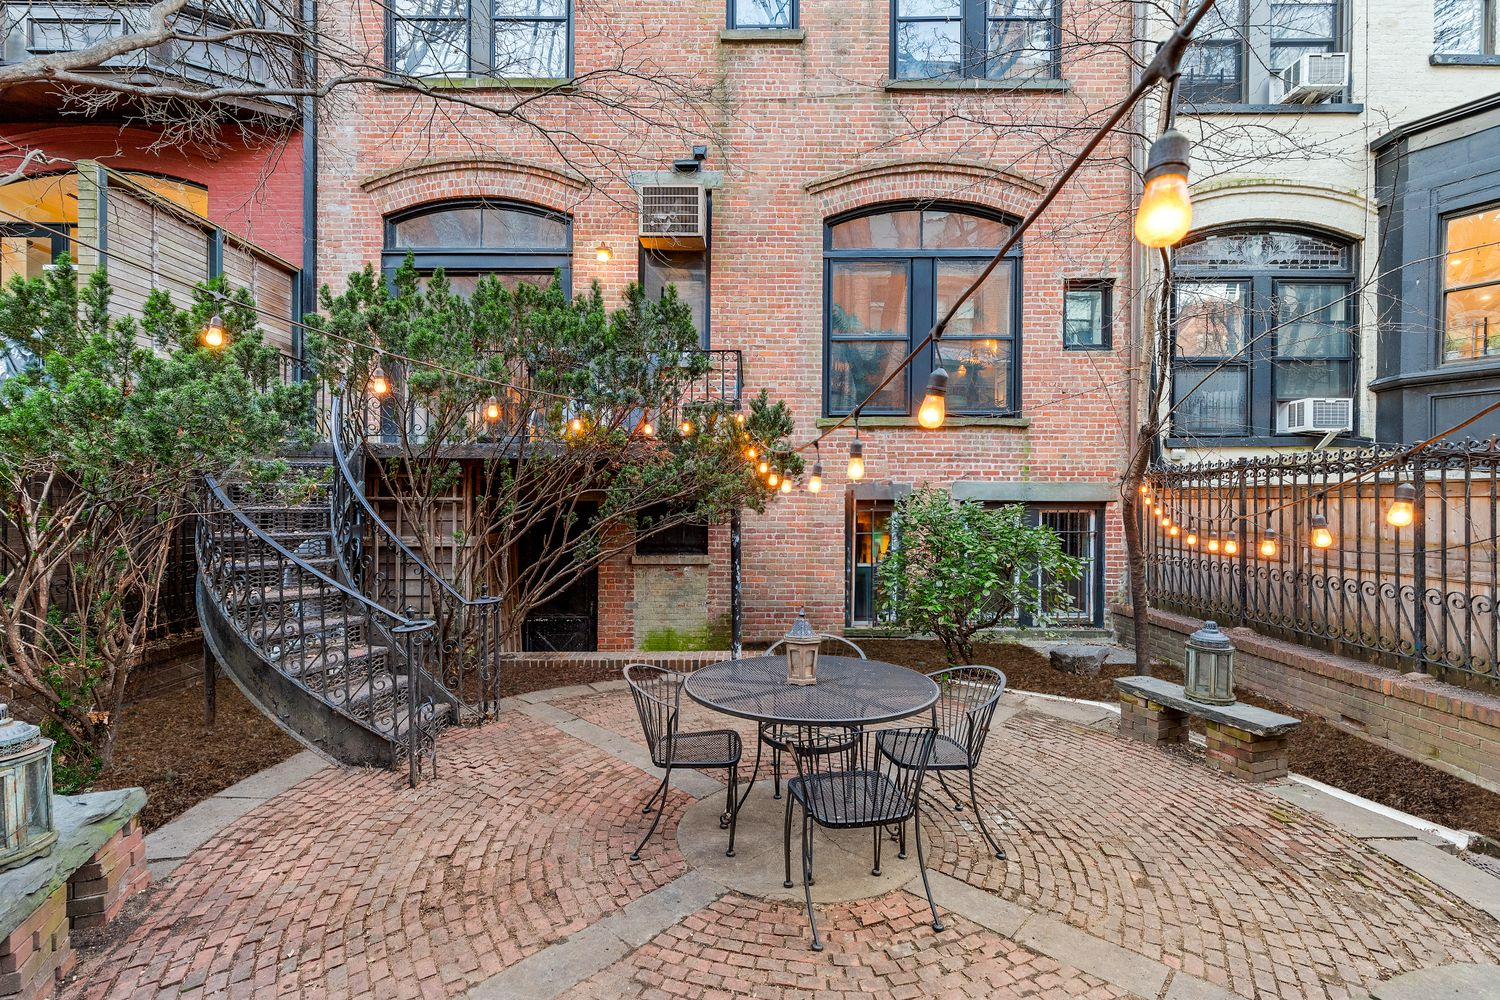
925 179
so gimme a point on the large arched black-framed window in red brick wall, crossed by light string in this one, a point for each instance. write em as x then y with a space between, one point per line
889 275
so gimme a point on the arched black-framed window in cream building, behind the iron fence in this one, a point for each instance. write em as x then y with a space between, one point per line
1261 317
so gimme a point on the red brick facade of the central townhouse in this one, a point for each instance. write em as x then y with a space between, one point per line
809 131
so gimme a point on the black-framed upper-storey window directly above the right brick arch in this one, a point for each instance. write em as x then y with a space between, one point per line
985 40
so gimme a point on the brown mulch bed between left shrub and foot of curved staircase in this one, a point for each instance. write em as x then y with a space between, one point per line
166 749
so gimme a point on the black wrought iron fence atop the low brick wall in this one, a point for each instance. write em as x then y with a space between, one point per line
1409 597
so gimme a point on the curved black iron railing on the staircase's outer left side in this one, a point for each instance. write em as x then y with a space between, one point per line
356 657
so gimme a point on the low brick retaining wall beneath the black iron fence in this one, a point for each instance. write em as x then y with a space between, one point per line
1451 728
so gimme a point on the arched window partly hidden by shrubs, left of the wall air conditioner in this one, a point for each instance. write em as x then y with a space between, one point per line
467 239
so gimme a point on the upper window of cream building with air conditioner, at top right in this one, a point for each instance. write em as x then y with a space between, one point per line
1243 44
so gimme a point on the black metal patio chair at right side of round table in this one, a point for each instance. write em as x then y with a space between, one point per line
962 717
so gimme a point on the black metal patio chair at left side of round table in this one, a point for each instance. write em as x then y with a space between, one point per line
659 701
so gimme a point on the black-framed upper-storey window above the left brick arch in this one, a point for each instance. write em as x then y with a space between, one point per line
514 40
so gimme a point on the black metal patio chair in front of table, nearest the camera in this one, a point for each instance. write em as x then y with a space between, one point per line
844 782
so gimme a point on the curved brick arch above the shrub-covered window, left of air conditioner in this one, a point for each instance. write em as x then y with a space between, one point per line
451 179
